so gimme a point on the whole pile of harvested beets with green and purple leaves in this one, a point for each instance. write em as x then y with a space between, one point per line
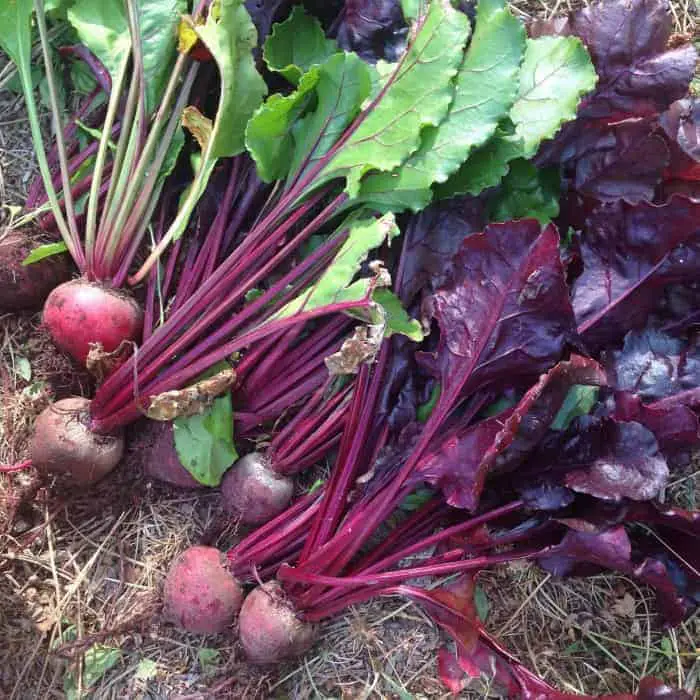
454 257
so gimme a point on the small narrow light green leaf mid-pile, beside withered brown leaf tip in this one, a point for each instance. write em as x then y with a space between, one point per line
336 283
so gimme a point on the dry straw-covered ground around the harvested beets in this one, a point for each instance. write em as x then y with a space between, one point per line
80 573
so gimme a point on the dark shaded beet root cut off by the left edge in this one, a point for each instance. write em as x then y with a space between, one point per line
25 287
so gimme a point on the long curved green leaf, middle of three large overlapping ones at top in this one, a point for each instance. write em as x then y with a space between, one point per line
485 89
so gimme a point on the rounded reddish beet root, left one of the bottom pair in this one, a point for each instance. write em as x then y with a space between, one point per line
201 595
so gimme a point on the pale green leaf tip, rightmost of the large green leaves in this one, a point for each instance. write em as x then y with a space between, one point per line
555 74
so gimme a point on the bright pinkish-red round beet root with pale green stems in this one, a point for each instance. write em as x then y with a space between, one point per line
78 313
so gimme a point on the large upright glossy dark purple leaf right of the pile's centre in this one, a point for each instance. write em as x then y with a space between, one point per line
511 280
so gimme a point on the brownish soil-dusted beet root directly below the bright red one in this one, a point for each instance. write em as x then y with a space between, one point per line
64 445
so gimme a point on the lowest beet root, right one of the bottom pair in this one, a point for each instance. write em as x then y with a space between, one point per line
270 630
